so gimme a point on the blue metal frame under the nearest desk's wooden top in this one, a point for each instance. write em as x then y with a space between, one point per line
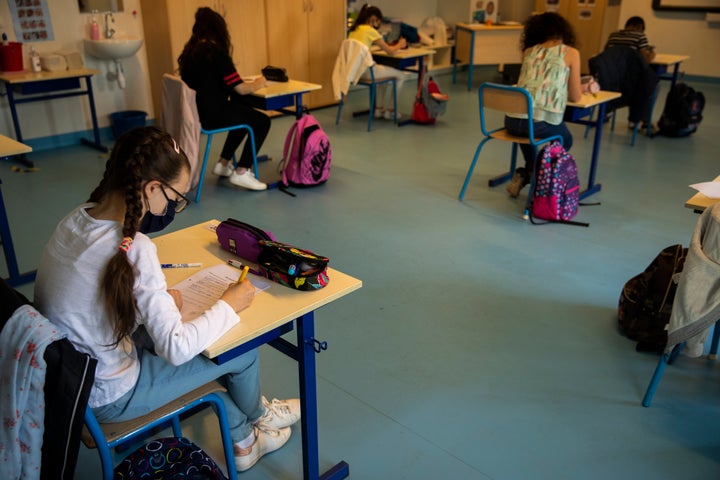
304 353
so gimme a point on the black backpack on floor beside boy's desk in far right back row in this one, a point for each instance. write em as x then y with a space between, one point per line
682 112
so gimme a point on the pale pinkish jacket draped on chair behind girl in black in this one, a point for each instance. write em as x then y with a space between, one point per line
180 119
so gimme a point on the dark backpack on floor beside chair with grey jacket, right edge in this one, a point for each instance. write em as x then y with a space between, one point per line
646 300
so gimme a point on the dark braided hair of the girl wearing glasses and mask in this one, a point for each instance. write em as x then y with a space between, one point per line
139 156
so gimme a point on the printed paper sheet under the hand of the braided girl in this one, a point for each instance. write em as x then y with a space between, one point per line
201 290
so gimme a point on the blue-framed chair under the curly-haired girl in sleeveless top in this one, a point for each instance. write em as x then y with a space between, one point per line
505 99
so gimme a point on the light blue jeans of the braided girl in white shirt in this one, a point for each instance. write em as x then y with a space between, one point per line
160 382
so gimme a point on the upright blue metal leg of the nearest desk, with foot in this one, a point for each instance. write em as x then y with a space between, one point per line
309 346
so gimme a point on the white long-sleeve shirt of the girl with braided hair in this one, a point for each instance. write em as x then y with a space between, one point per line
67 292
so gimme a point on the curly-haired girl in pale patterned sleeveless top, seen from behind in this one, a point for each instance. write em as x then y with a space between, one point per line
551 73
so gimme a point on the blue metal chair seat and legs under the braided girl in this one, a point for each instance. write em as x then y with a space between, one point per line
106 436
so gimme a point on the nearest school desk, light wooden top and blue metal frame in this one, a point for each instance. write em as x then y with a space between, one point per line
271 314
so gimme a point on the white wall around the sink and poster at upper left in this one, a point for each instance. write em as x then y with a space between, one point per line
69 115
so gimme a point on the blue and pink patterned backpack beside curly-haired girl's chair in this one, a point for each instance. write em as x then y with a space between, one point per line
556 194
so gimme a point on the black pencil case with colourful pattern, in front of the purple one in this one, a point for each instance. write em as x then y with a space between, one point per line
292 266
